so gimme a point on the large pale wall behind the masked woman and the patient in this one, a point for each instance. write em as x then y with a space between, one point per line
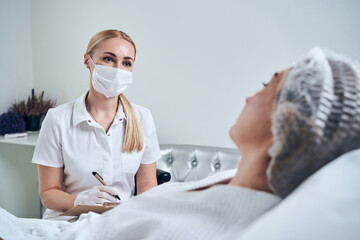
197 60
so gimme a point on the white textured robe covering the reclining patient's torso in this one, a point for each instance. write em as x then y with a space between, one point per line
171 212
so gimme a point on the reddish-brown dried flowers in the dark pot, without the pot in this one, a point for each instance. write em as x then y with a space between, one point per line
35 106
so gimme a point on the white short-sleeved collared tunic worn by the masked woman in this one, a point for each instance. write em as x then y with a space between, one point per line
69 138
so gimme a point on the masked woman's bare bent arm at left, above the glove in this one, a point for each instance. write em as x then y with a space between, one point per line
51 189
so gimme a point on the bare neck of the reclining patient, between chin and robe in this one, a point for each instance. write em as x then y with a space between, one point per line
252 170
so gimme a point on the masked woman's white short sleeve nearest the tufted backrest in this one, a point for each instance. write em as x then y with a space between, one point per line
152 150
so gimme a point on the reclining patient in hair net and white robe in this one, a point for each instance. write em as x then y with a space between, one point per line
282 134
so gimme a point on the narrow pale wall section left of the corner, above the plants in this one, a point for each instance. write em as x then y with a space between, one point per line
16 78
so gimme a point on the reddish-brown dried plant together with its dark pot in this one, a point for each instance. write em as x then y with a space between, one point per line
33 109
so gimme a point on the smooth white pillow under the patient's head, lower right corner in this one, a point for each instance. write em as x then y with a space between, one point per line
325 206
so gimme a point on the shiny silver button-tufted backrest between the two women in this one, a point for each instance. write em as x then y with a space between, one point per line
191 162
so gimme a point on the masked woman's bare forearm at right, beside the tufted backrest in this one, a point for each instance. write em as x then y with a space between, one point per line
146 177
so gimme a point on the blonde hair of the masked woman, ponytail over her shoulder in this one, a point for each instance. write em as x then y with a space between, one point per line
133 138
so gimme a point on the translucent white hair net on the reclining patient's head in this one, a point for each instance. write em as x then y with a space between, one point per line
317 118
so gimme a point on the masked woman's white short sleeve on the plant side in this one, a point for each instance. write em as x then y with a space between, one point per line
48 150
